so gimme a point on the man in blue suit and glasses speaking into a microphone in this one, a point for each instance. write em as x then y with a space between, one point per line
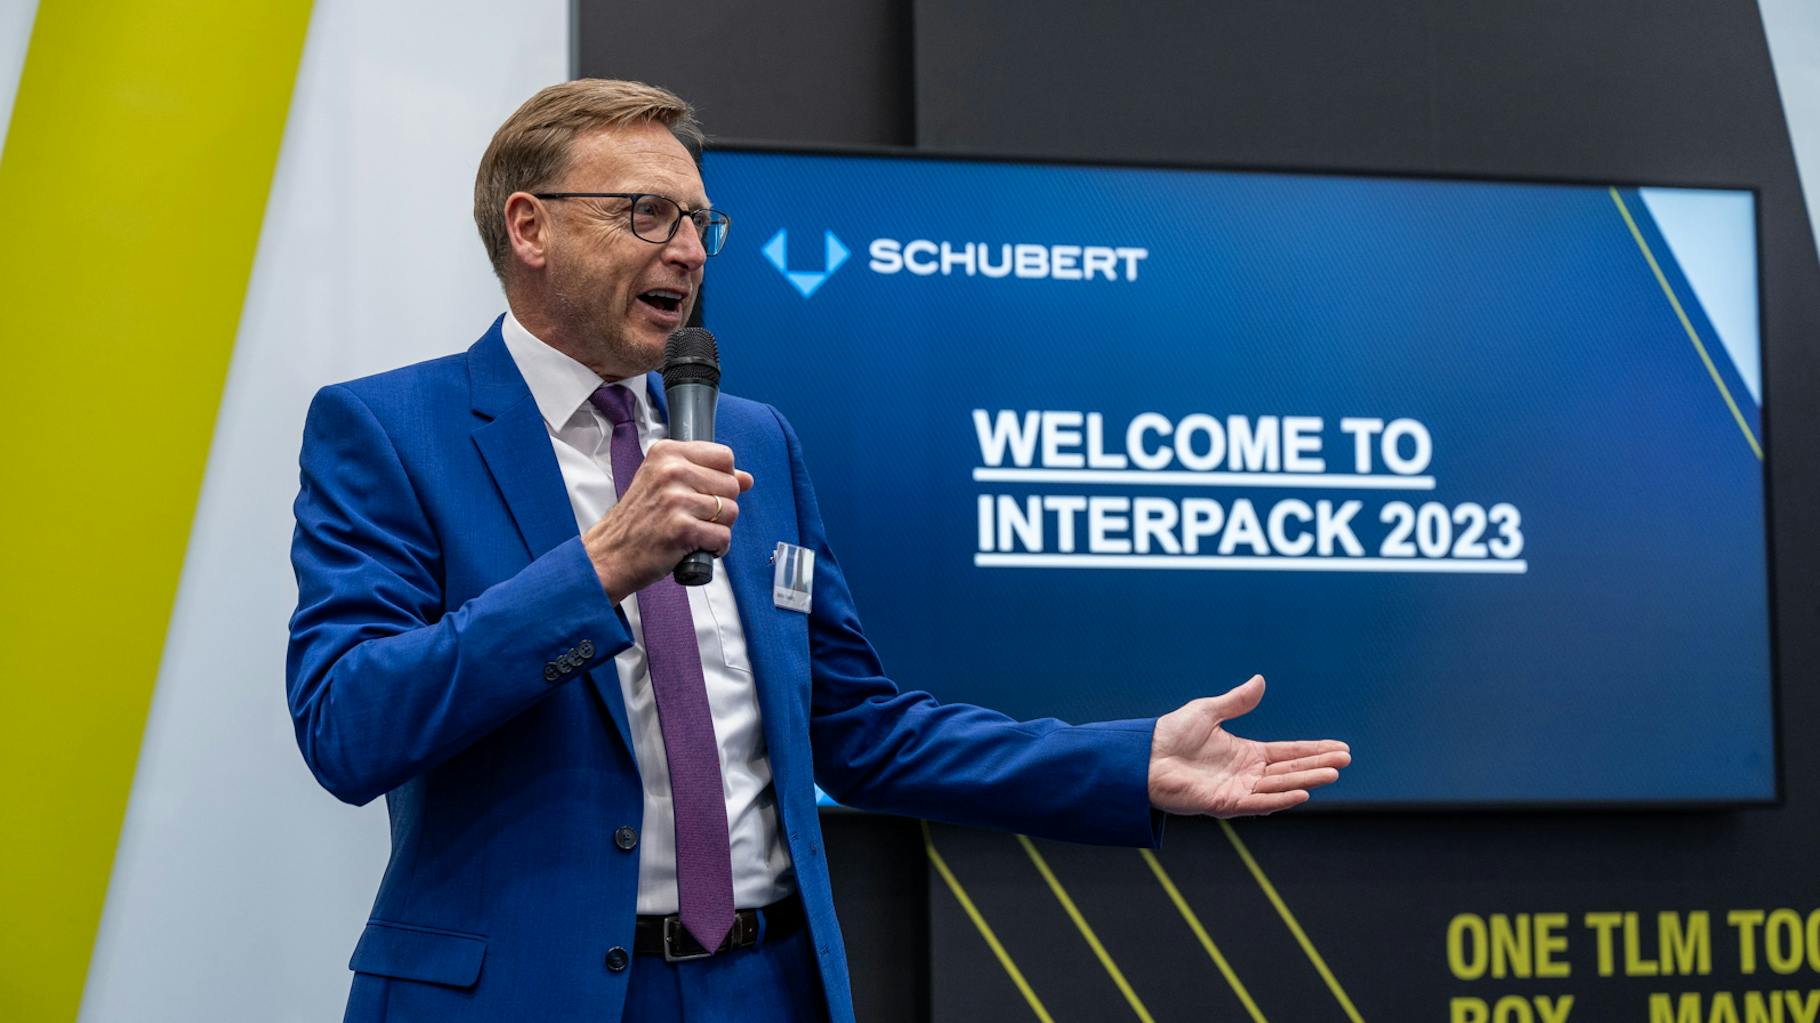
602 784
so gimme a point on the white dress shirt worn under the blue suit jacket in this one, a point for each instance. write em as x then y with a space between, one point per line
581 440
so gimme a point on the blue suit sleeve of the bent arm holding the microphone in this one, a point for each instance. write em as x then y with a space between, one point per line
381 684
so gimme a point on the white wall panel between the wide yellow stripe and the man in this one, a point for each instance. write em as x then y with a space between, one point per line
239 886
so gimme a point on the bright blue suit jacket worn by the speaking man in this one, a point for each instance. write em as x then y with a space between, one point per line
440 572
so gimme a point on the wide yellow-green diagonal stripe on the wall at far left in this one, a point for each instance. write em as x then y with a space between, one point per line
132 190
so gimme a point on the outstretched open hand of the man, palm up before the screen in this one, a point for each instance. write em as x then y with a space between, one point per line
1198 767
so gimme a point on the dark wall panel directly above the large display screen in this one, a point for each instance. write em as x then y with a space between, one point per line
1613 92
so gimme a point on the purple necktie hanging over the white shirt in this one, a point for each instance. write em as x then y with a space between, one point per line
705 864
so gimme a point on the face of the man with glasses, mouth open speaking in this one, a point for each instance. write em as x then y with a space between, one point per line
618 298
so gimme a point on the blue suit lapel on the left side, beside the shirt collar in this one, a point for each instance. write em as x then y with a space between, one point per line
516 449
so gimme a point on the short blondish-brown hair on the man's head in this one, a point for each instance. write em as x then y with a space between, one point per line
532 148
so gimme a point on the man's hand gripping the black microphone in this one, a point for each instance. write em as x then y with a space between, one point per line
665 516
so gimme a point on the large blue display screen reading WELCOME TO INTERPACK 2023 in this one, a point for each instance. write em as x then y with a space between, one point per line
1471 472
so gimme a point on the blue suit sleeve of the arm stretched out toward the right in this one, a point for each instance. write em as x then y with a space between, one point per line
905 753
